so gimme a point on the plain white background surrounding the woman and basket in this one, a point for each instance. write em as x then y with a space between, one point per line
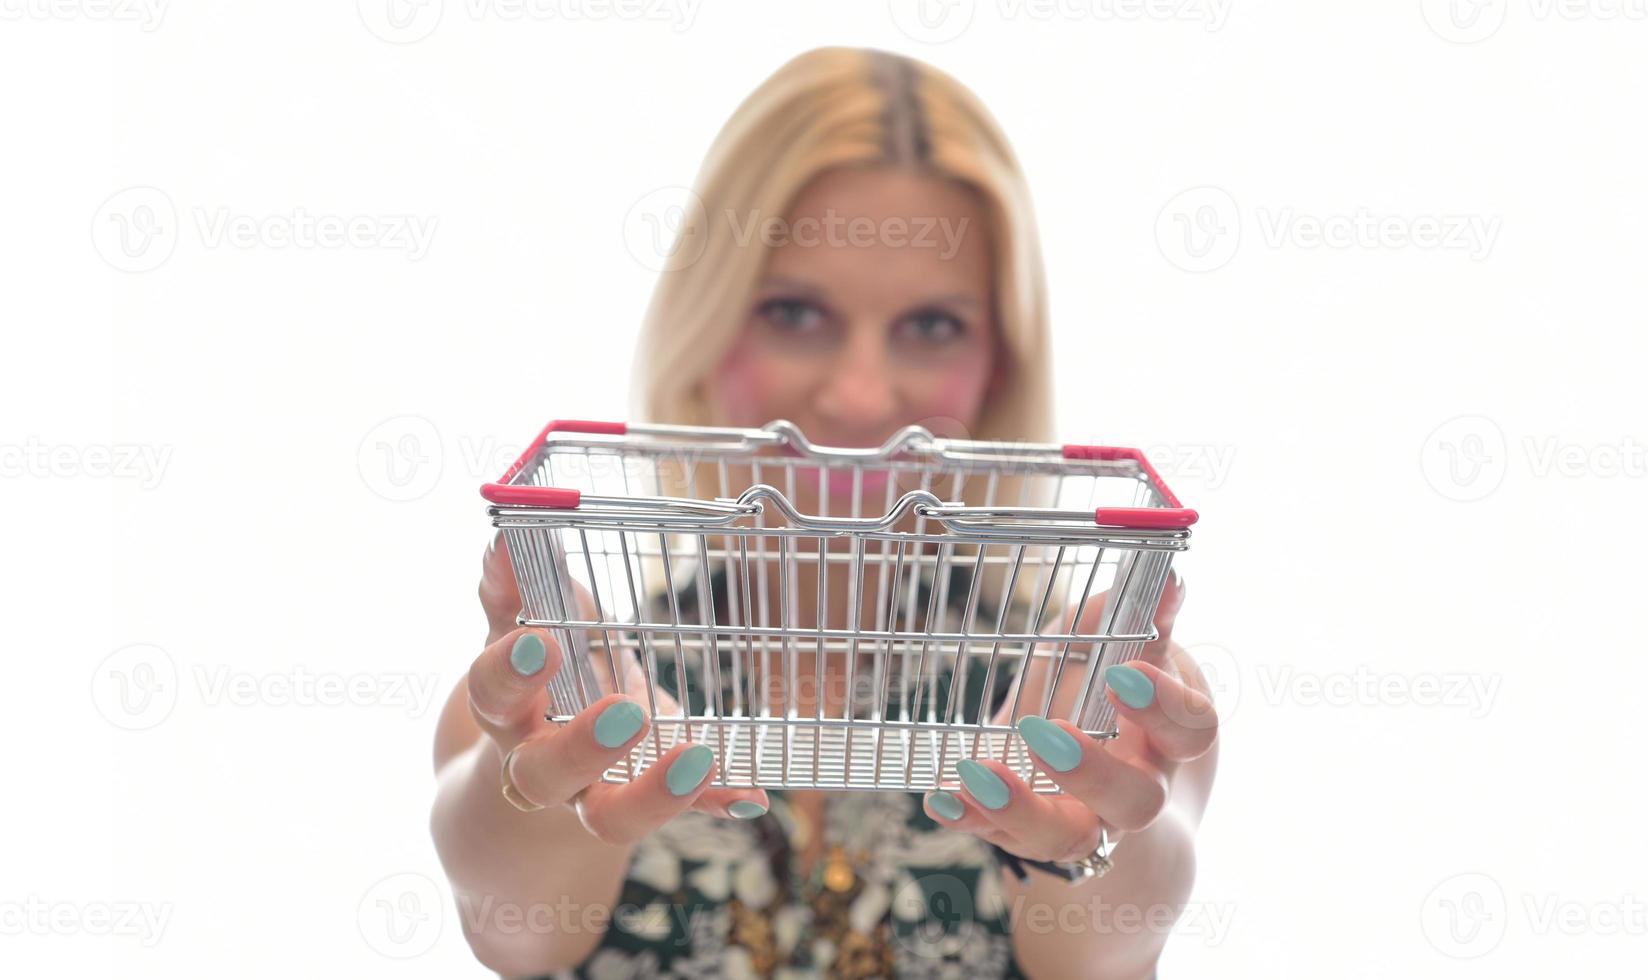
1426 630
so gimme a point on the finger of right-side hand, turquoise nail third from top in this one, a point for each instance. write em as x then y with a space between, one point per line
1041 828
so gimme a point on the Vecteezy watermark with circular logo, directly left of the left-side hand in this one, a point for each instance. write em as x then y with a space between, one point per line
138 688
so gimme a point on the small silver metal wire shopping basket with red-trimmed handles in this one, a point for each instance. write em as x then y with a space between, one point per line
836 618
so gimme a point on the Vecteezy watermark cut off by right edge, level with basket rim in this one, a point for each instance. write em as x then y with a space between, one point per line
1468 459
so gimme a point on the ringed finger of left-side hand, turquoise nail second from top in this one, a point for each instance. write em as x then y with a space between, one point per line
553 767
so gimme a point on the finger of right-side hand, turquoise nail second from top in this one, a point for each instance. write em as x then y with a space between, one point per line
1130 798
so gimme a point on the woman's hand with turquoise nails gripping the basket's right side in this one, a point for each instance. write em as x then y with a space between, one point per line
1166 717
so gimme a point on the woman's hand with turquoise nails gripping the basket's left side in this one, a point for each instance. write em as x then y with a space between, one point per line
563 765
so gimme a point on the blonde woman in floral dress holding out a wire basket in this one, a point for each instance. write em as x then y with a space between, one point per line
935 315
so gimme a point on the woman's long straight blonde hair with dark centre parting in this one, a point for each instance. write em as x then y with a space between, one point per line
825 110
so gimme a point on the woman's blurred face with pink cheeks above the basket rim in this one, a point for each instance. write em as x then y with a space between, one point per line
876 312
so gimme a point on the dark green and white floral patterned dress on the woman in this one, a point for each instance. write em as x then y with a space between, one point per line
894 895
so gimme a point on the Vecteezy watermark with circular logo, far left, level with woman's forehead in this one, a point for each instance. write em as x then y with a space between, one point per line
138 230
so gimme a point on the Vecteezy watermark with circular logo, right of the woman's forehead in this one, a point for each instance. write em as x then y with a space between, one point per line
1201 230
